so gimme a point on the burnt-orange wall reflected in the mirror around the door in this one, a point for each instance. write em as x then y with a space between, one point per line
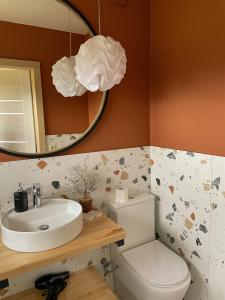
62 115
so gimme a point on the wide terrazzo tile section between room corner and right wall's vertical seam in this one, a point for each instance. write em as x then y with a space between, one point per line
182 182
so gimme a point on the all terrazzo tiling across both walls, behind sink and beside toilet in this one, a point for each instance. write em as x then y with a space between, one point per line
190 208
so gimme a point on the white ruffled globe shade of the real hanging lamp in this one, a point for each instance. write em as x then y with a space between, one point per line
100 63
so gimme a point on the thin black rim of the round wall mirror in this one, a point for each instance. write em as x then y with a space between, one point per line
97 119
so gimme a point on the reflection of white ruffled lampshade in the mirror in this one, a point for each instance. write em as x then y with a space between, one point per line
65 78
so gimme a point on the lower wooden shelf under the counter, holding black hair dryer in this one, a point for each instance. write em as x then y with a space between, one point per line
84 284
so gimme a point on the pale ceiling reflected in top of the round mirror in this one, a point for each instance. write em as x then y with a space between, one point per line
50 14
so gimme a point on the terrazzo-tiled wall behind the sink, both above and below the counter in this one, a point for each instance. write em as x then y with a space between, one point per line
127 167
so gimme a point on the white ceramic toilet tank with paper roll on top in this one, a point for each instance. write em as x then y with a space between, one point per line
137 217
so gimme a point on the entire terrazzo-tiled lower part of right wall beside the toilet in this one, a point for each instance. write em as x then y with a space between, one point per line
190 215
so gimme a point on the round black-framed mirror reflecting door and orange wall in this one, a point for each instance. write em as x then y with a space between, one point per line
35 119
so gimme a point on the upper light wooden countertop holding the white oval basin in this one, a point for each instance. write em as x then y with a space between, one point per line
97 233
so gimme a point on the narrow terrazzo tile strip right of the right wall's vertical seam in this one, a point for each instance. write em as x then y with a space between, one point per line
217 231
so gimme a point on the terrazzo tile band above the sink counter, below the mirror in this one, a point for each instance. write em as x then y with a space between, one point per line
126 167
